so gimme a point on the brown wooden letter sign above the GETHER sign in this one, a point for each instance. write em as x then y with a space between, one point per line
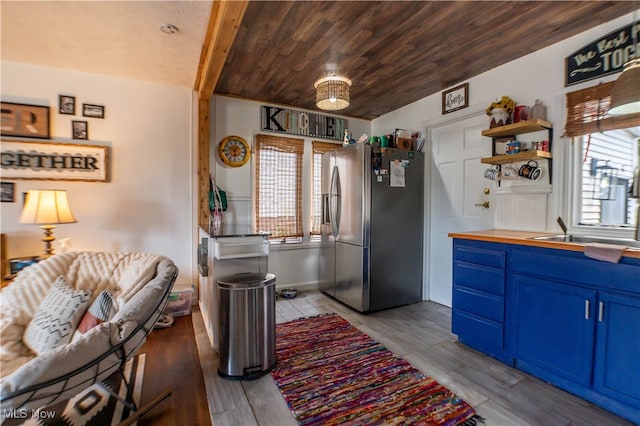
26 121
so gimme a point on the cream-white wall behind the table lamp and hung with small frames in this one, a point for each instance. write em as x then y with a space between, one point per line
148 203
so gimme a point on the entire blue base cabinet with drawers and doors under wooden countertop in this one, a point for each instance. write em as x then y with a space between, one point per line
556 314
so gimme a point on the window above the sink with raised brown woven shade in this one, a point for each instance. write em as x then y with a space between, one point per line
604 145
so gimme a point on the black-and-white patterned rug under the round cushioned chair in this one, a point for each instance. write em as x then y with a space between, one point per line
95 406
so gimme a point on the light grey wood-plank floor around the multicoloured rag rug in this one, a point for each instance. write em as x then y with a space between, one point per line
420 333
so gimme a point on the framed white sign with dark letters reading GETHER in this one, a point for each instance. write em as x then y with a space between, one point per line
54 161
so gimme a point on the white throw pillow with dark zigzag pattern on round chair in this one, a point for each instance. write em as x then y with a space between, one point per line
56 318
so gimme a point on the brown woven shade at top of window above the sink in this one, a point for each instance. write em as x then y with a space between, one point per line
587 112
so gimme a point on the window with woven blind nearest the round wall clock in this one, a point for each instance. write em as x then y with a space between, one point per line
278 186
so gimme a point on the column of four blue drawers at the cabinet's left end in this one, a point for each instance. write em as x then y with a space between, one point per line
478 296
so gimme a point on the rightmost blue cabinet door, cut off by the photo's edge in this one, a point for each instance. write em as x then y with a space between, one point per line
617 360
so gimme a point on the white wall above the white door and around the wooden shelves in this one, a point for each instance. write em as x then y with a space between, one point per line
539 75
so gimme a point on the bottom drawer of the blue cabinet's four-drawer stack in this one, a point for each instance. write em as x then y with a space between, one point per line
476 331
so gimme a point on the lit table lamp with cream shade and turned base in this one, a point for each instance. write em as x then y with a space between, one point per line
48 208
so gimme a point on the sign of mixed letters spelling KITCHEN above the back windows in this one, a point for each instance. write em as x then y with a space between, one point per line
302 123
